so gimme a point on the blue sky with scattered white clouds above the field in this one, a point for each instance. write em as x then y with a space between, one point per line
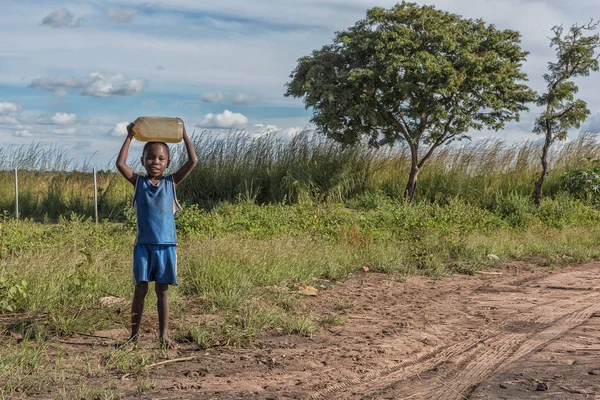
74 73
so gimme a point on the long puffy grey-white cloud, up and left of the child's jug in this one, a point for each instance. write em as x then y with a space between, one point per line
97 84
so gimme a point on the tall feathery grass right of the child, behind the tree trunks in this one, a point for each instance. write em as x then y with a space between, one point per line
310 167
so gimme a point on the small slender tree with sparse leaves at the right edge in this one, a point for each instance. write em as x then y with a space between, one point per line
576 56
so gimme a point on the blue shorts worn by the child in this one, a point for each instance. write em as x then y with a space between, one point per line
155 262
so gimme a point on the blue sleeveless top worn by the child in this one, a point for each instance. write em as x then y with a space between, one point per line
155 207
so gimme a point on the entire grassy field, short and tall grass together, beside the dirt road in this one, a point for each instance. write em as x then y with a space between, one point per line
258 229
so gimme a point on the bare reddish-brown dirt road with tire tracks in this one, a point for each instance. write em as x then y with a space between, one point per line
523 334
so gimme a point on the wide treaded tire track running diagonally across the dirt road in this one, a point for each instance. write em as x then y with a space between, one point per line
473 361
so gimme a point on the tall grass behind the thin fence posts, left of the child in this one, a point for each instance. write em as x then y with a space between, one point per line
52 185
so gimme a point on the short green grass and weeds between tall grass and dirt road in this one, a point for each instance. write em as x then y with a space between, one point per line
240 267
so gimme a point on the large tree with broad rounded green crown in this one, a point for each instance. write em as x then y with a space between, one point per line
415 74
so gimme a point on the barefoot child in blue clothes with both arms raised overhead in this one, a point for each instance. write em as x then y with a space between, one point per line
155 204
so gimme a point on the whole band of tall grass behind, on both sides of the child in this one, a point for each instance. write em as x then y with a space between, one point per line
265 170
